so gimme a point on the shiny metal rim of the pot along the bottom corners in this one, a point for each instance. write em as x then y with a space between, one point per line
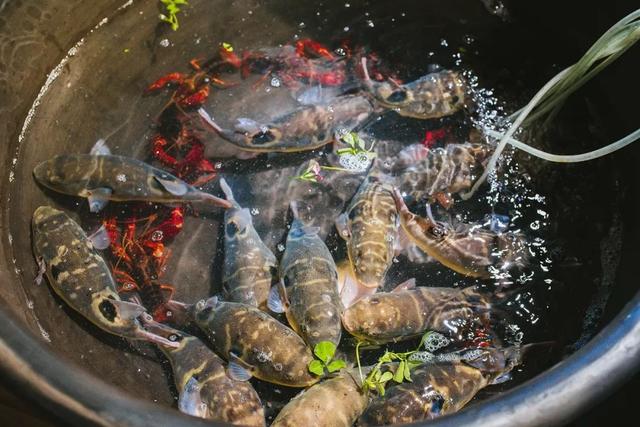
551 398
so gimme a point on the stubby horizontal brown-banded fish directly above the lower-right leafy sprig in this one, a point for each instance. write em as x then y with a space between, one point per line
405 313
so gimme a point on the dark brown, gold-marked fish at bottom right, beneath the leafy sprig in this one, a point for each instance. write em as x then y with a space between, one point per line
438 389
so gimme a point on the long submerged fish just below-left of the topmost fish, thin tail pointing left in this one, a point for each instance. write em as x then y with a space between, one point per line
306 128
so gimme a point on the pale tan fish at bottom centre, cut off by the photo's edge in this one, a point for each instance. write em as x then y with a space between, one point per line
335 402
